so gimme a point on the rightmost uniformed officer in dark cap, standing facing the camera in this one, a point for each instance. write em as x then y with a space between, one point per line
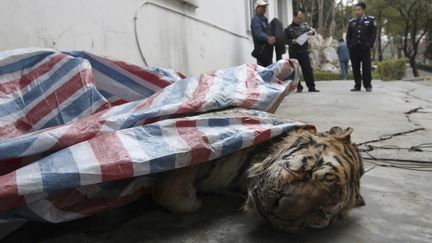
361 37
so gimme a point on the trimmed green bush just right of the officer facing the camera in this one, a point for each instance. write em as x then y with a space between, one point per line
393 69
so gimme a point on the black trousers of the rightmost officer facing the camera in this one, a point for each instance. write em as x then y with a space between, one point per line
361 56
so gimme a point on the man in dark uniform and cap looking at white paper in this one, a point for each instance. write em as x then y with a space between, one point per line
300 52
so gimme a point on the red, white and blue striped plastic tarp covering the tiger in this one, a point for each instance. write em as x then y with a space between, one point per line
81 133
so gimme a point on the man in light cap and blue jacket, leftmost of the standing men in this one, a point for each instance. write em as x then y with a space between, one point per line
263 42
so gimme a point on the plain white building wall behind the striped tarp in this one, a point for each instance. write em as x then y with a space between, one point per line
106 27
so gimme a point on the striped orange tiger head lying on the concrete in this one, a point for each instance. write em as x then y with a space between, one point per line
306 180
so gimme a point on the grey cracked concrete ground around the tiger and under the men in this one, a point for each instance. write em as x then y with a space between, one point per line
399 201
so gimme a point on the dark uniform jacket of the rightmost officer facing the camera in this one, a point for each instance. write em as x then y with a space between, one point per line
361 32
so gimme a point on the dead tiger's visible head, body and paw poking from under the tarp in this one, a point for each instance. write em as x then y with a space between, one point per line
300 180
